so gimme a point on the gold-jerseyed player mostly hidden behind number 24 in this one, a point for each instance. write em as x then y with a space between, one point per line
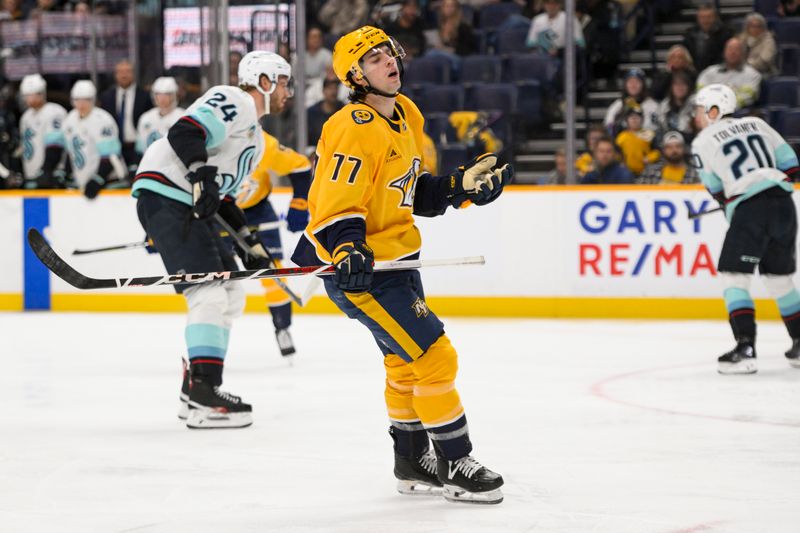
253 198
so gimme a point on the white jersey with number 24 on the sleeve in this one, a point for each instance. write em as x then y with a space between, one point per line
233 142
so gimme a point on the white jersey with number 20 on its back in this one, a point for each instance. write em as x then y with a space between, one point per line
742 157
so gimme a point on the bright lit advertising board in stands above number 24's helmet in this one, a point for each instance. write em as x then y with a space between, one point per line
260 27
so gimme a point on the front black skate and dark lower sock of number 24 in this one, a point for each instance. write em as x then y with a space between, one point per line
211 408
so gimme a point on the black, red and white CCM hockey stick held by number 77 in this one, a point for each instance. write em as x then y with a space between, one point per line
63 270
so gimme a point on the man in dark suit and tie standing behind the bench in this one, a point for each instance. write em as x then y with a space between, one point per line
126 102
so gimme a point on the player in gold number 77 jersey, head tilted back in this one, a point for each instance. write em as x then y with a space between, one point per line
367 187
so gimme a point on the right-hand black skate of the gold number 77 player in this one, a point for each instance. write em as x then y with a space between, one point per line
466 480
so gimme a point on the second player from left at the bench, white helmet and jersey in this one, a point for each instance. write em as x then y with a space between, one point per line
92 142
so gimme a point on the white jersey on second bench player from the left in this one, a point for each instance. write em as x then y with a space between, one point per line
88 140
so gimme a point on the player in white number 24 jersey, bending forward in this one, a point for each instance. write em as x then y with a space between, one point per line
183 180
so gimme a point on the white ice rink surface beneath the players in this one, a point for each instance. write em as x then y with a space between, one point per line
596 426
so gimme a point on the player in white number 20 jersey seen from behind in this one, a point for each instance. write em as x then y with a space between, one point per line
749 168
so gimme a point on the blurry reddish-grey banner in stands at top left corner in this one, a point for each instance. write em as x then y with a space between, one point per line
61 43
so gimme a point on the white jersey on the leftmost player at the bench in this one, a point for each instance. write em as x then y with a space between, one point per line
40 128
